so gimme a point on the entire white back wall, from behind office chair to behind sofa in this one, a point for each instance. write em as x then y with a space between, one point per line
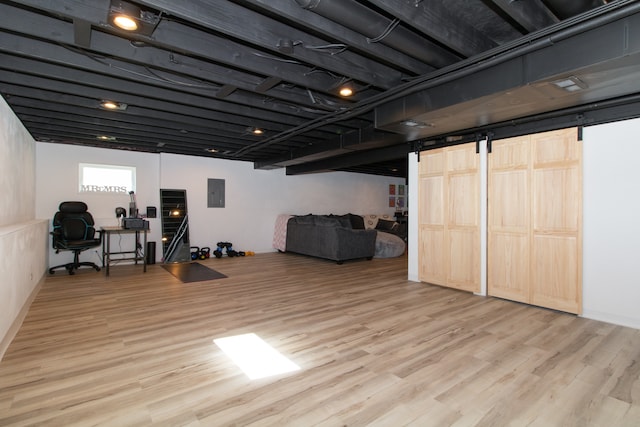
254 198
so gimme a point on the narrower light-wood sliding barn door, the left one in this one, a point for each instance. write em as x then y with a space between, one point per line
448 212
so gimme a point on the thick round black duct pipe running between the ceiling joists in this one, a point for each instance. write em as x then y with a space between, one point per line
363 20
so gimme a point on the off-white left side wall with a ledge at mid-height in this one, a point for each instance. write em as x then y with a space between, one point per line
22 238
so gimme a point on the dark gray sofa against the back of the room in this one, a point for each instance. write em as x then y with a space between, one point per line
330 237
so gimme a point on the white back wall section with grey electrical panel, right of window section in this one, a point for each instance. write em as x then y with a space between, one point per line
254 198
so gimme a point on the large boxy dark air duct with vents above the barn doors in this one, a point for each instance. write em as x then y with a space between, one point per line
589 63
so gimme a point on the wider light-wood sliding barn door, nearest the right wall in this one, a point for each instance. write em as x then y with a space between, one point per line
535 220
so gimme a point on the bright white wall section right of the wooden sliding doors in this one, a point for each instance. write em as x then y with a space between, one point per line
611 245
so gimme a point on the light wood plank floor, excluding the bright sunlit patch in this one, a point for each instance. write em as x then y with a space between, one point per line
136 349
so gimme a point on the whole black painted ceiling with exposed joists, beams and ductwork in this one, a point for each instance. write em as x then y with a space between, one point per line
206 73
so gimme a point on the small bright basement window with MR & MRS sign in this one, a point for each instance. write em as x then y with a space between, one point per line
106 179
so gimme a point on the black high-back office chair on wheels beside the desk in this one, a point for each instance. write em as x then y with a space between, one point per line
73 230
